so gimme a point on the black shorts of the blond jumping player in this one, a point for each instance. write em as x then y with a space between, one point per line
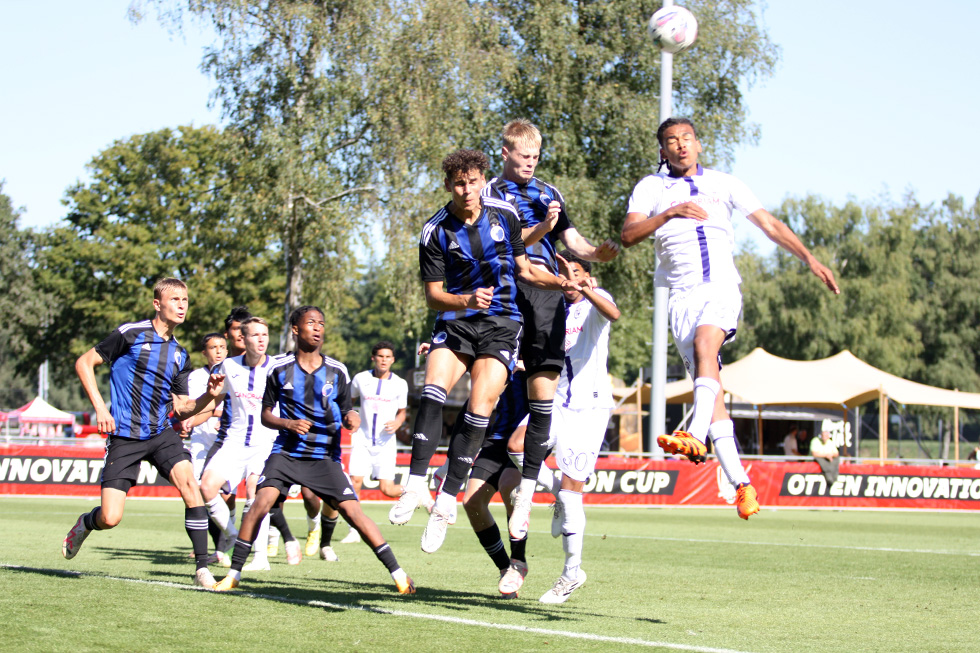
543 346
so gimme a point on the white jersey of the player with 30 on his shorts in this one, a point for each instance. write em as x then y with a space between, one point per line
584 383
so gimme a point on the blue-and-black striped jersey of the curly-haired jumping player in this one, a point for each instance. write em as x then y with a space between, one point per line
472 256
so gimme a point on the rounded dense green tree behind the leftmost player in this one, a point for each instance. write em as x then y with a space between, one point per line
159 204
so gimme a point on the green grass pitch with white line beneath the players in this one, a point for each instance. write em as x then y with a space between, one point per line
658 578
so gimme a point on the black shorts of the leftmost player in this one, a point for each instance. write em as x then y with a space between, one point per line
124 455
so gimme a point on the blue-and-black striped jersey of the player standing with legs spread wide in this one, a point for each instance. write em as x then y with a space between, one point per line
321 397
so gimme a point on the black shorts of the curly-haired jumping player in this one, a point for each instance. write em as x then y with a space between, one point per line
483 335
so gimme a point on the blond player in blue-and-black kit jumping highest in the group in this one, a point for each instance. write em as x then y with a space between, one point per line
544 222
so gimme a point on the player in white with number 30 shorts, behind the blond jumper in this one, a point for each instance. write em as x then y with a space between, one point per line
583 405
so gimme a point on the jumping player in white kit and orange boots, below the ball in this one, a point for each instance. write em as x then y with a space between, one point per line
688 213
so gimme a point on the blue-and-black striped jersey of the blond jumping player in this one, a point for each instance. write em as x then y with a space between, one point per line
531 201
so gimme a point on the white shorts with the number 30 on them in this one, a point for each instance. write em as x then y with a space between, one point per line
577 436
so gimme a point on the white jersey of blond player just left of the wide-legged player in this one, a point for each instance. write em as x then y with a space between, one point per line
244 386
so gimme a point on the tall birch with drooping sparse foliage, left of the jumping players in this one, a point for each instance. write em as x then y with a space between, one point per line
337 103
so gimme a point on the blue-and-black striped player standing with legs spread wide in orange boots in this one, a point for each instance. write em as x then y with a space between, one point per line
313 394
